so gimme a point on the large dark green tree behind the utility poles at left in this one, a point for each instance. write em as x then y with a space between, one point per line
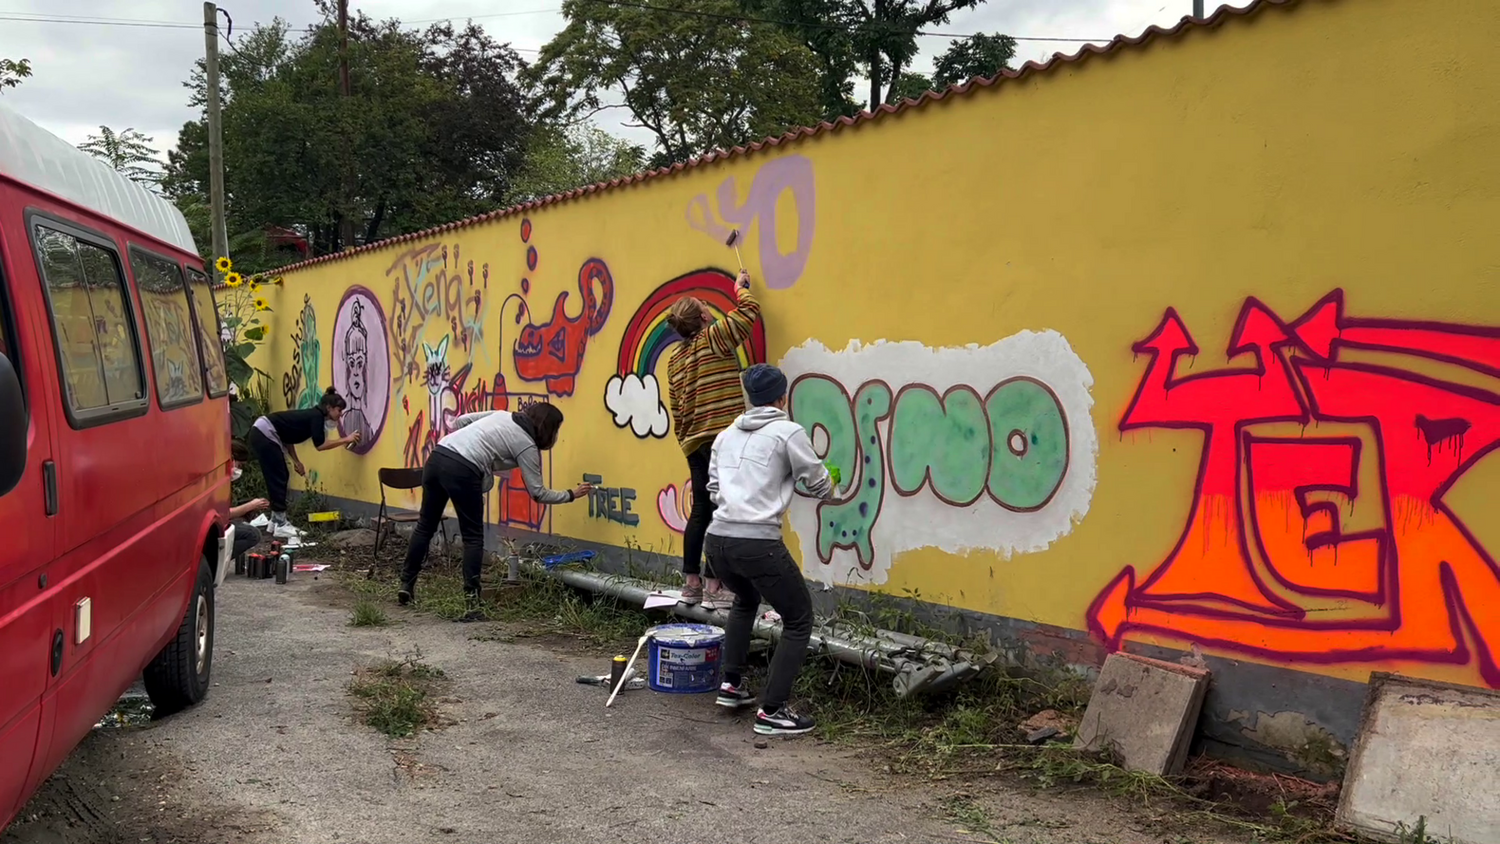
436 130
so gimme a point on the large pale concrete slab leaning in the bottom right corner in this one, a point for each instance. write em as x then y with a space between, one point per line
1426 750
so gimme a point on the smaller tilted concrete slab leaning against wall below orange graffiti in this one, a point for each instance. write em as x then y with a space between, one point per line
1145 713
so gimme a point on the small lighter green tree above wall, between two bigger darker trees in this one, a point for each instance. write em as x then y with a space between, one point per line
563 158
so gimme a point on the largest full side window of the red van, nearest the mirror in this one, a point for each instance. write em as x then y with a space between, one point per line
95 328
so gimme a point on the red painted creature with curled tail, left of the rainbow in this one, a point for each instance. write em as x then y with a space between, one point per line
553 353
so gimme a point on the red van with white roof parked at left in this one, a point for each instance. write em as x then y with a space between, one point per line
115 453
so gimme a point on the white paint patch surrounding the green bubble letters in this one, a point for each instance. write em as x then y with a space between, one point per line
925 521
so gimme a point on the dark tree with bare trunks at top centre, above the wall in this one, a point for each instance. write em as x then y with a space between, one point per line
877 38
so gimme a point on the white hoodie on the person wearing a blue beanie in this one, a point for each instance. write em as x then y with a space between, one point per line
754 473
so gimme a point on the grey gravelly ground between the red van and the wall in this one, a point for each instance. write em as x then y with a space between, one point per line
524 755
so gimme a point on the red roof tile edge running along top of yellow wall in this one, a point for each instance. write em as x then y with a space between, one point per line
1031 68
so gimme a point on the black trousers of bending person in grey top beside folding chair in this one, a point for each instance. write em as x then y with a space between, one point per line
449 477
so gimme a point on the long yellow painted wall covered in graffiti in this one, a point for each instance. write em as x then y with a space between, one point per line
1052 223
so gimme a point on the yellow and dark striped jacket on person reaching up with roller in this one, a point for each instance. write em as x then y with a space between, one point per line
704 377
